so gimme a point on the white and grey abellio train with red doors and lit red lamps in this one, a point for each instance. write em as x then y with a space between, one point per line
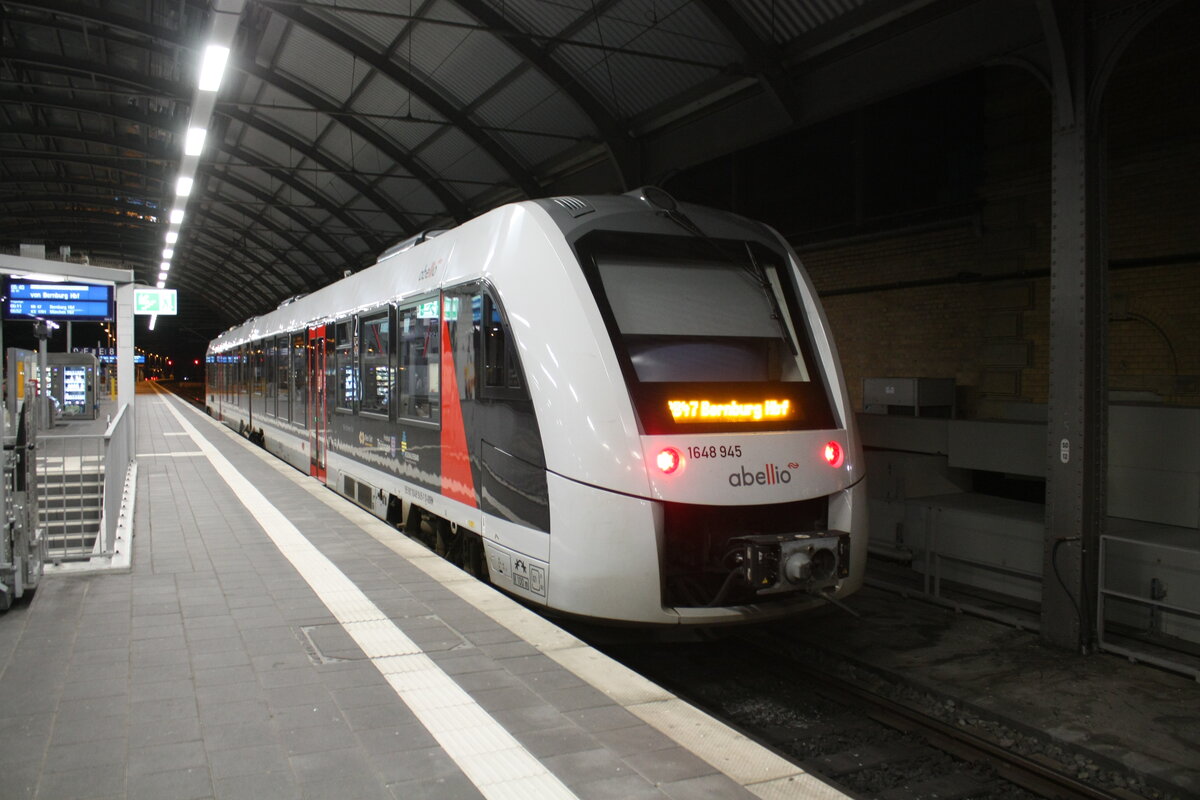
620 408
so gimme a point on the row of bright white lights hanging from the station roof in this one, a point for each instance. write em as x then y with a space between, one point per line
226 15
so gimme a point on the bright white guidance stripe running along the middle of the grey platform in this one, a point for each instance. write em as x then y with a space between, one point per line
488 754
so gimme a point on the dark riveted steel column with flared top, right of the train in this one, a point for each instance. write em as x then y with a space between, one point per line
1084 41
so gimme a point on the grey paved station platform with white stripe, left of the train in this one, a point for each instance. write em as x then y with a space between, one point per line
272 640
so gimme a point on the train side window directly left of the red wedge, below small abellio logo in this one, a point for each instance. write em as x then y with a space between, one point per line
419 348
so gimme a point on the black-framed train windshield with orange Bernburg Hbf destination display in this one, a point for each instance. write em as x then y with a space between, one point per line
710 335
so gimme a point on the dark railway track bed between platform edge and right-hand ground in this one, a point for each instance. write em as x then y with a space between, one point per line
847 732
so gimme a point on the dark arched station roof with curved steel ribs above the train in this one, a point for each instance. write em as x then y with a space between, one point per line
344 127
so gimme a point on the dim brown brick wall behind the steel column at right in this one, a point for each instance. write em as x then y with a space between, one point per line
971 300
